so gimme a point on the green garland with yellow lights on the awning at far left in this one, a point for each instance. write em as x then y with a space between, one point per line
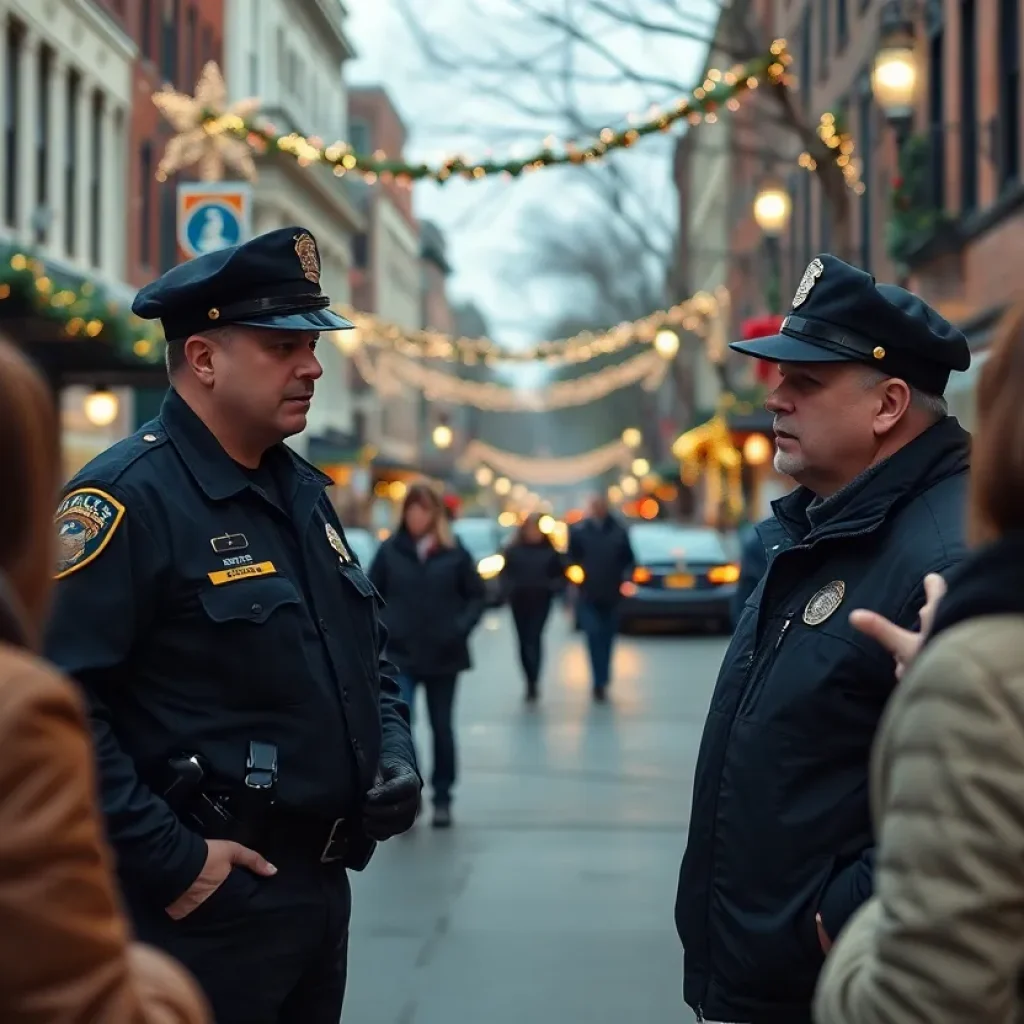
80 309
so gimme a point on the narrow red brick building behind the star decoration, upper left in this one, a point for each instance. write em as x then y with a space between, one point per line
175 39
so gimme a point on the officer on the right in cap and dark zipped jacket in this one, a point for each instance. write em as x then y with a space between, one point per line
781 844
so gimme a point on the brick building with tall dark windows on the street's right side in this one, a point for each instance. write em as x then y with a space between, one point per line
955 233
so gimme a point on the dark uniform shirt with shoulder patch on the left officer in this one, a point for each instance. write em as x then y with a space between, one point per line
202 606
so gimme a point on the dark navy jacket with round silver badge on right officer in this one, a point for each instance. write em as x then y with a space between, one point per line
781 825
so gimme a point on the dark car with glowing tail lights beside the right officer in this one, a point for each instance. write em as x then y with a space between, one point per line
684 576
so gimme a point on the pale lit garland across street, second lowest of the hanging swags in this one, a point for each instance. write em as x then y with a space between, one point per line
390 372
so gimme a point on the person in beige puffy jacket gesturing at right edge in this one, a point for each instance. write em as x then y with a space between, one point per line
943 940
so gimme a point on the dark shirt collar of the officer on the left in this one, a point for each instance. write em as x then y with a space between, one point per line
216 472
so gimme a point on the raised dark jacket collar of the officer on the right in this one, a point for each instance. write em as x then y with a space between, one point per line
941 452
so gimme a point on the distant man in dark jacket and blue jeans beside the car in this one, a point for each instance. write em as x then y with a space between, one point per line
600 545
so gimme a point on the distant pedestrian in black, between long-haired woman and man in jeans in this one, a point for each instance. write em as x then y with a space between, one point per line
533 575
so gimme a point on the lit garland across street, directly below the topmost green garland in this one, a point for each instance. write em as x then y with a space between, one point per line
698 316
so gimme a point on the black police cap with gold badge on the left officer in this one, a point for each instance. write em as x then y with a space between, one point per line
272 281
